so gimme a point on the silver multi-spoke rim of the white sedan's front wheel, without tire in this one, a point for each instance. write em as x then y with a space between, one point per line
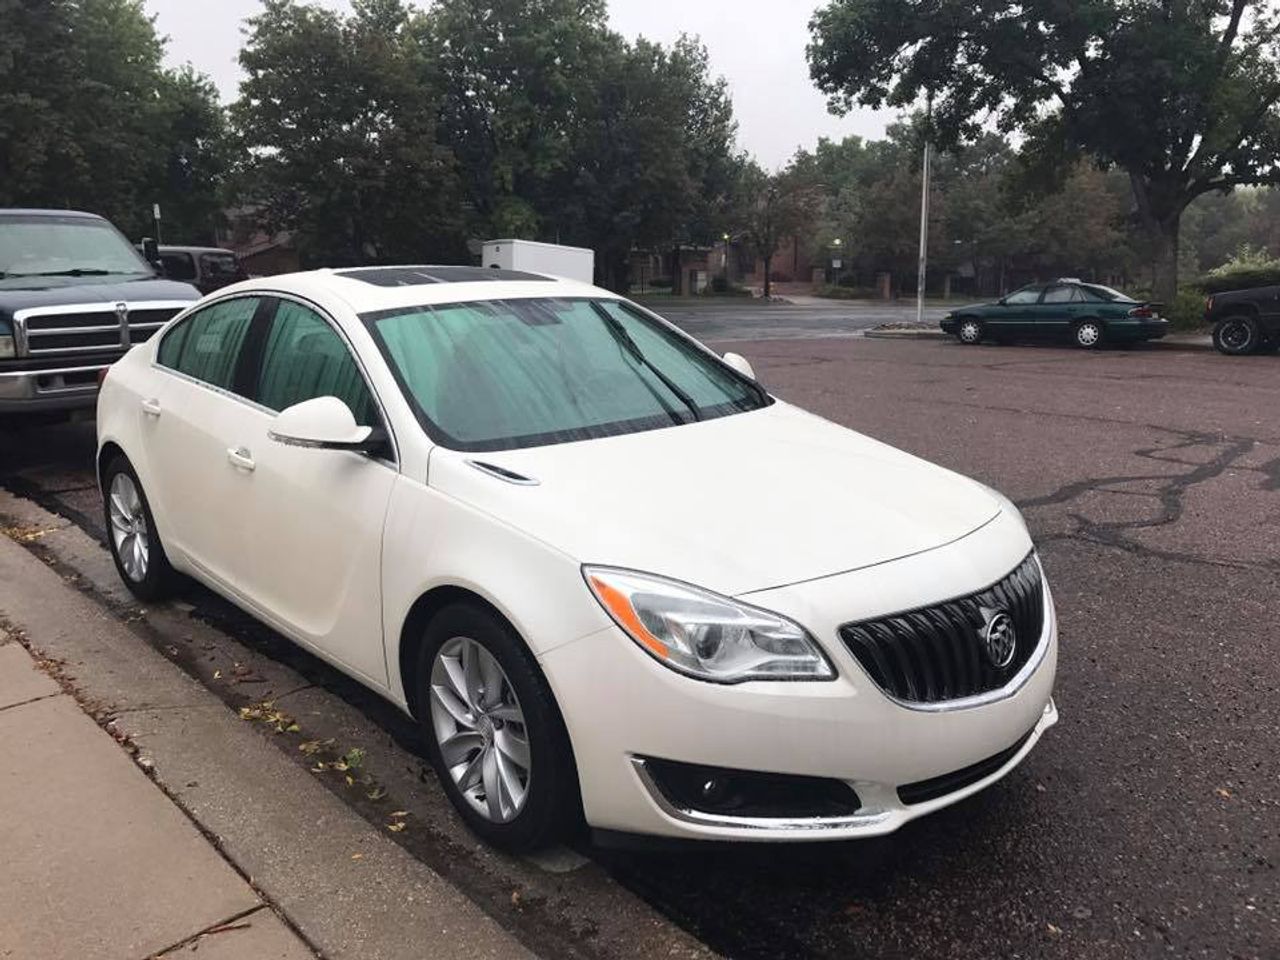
481 730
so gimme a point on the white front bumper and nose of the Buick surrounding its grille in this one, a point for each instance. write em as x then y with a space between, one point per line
623 707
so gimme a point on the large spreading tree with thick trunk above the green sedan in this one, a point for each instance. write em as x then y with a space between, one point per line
1181 97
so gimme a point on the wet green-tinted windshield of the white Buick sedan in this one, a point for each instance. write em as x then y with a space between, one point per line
523 373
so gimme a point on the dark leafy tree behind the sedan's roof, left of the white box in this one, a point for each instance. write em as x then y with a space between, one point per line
339 121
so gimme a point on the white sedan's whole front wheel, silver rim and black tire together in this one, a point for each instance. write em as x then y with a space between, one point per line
493 730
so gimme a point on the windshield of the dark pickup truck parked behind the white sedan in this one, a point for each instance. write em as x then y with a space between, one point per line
65 246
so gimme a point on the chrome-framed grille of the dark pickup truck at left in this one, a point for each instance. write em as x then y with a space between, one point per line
97 328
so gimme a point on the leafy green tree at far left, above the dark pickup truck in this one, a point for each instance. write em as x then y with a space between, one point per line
90 120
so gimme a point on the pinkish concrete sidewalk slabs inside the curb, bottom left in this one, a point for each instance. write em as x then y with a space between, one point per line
98 861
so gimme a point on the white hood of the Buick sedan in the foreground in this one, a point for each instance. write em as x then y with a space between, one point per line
735 505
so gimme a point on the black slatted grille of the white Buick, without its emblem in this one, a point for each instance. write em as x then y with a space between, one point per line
939 653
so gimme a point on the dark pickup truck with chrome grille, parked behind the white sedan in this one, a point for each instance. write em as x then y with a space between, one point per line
75 296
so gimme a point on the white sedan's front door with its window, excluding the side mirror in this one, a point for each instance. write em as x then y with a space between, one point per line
316 518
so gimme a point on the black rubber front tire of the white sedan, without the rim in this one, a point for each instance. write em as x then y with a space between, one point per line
552 803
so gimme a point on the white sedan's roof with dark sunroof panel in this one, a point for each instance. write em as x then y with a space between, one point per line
373 290
